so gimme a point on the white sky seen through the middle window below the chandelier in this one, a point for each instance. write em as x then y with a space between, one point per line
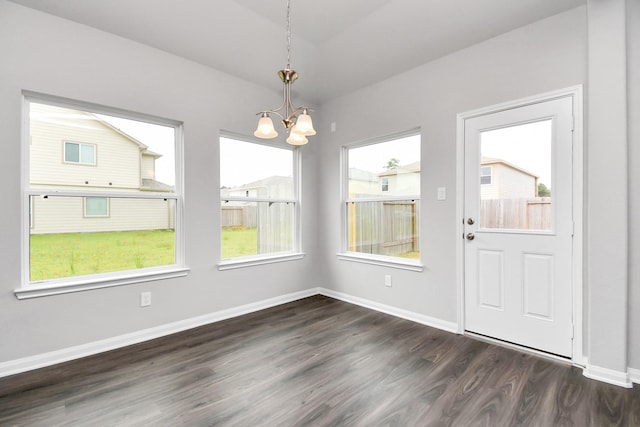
245 162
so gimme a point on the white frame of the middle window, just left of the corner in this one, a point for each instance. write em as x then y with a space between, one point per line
297 252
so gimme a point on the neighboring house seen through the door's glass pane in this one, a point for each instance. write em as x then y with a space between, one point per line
500 179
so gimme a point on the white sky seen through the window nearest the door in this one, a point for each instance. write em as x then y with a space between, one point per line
374 158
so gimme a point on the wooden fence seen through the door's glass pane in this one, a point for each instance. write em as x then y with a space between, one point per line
517 214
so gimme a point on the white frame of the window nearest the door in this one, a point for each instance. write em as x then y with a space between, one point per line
374 259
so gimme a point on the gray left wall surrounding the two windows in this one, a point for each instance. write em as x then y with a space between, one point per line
45 54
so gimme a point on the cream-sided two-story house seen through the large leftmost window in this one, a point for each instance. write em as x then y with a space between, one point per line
85 152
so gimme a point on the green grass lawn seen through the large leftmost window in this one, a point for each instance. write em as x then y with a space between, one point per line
73 254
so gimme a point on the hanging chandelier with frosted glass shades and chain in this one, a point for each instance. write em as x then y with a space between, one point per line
296 120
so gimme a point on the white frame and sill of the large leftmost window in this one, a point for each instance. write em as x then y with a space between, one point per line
29 289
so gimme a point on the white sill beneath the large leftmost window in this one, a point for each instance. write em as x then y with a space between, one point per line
79 285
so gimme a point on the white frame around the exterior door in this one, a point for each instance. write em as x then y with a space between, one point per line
575 92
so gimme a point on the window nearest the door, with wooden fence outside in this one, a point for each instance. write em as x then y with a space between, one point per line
382 199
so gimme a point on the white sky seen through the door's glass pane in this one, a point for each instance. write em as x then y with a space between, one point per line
527 146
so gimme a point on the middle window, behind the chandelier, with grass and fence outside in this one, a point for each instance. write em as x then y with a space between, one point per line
258 202
